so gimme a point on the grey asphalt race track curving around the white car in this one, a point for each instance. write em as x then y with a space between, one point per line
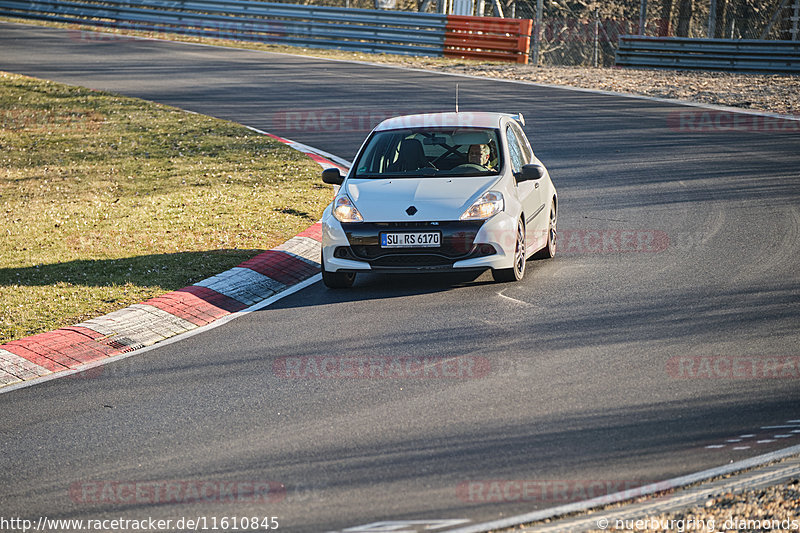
679 248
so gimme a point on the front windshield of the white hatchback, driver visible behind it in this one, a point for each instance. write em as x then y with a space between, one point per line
430 152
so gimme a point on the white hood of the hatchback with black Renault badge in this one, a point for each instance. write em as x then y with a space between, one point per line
386 200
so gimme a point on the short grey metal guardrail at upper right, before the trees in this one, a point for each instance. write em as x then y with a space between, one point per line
710 54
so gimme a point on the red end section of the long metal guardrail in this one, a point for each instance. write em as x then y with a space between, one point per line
488 38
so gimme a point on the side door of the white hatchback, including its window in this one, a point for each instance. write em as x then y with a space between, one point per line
529 193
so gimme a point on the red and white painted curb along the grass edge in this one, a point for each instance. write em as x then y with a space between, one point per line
158 319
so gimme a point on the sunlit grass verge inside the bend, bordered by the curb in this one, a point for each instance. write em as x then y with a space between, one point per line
108 200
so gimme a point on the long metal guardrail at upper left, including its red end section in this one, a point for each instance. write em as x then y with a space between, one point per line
364 30
